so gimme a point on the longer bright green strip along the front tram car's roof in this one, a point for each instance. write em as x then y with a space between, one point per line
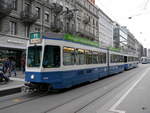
80 40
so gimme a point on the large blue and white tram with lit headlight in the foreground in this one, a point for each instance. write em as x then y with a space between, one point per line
57 64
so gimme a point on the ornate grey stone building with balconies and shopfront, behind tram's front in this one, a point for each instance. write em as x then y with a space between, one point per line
20 17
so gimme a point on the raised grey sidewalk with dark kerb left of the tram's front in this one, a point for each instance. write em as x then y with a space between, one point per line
13 86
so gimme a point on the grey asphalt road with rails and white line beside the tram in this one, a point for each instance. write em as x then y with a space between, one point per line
127 92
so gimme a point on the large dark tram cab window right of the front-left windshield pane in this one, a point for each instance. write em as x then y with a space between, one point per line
51 57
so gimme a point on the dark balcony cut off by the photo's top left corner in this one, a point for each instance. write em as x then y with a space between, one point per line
5 8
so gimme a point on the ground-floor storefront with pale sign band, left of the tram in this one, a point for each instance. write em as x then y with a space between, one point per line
12 47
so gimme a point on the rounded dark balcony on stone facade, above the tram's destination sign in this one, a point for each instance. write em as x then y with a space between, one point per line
28 17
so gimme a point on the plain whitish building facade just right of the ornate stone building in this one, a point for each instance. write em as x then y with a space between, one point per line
105 30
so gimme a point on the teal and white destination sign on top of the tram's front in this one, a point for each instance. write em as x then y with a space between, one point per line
35 38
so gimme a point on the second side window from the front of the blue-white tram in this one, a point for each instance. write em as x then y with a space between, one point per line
80 56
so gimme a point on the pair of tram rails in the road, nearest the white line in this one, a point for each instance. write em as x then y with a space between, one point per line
69 101
